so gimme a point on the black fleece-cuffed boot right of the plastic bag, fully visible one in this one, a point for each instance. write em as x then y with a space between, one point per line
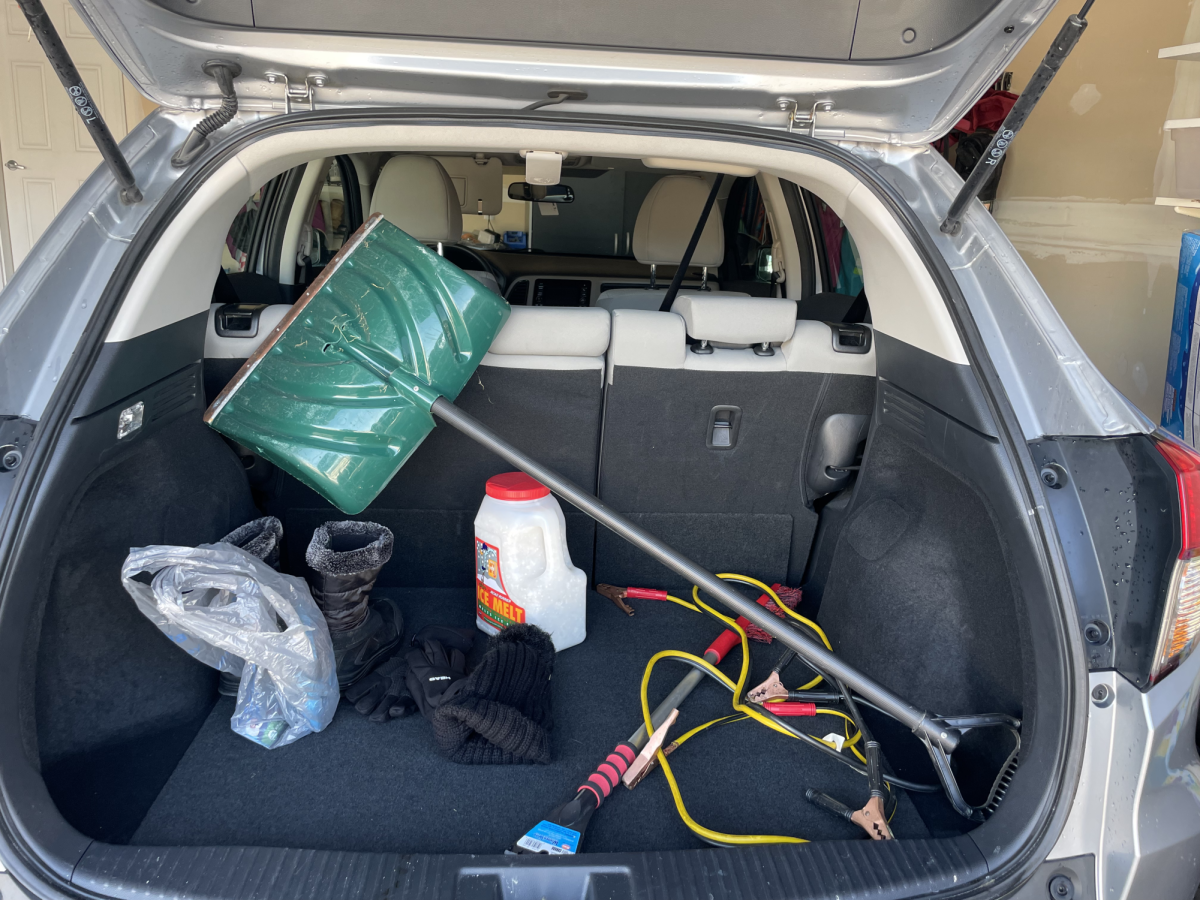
345 560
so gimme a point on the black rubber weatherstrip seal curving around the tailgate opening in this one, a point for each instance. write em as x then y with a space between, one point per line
1010 866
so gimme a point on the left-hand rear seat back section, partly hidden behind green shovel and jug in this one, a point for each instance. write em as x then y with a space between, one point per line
539 387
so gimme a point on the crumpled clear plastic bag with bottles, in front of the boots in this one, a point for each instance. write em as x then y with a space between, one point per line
223 605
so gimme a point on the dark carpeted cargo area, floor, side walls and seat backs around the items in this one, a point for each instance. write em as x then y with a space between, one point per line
905 572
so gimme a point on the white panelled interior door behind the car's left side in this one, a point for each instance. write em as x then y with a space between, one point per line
46 149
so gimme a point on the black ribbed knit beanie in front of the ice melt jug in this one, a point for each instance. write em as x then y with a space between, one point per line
502 713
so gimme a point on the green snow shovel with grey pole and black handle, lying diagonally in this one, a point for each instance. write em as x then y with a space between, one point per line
346 388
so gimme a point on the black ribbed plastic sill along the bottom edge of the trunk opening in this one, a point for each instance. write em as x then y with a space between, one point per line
849 871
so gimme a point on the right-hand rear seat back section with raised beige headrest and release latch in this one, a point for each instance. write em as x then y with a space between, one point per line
710 411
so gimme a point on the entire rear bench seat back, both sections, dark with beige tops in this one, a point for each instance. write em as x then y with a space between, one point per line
707 412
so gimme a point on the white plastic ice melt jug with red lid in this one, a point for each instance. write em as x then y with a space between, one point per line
523 569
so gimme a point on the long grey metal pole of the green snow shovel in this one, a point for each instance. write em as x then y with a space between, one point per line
923 724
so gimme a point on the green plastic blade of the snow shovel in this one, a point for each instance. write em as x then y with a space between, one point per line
339 394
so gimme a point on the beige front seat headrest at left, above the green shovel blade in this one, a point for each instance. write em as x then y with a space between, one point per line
417 196
